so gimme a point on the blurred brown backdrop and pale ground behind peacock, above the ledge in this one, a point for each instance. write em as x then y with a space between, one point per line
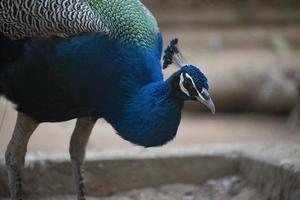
250 51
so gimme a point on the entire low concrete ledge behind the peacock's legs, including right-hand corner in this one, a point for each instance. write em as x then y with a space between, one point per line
272 168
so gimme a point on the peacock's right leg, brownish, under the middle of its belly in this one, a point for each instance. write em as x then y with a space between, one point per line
78 144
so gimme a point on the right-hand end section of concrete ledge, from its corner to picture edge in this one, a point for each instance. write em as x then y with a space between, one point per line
273 168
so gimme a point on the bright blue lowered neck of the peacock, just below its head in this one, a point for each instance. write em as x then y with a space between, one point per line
149 118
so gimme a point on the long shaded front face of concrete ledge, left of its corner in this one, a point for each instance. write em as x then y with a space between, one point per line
105 177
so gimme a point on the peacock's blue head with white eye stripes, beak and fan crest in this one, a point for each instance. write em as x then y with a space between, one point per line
189 83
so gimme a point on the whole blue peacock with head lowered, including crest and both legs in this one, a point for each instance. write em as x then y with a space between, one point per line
85 60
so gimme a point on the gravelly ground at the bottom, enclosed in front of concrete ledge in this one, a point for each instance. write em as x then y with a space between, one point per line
229 188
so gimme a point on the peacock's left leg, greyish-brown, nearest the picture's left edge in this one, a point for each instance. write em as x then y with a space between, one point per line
16 151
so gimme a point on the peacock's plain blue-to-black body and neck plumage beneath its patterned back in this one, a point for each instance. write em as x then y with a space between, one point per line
99 77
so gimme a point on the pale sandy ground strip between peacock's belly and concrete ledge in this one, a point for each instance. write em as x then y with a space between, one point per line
195 128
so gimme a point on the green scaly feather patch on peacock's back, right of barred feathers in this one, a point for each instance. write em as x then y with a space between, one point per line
127 20
